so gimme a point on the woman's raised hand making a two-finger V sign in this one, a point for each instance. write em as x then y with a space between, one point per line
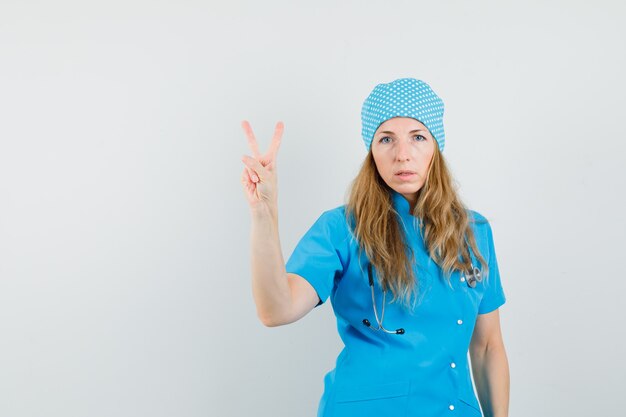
259 174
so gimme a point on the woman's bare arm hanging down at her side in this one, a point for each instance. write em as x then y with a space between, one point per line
490 366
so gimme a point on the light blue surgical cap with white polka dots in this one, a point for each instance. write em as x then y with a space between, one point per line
405 97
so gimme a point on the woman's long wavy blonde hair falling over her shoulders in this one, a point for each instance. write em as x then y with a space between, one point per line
444 226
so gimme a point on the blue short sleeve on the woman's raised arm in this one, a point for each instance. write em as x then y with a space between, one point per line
319 257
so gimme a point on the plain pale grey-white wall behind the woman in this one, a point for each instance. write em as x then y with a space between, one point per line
124 231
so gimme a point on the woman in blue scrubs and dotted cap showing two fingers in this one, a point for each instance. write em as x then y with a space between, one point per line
411 273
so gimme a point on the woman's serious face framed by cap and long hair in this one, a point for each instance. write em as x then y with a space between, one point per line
403 149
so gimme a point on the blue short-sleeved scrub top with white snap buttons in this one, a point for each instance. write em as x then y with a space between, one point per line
424 372
